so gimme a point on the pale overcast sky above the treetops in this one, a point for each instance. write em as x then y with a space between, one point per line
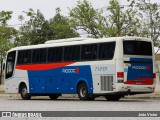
47 7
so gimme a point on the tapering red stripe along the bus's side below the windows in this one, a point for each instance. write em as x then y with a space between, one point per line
42 66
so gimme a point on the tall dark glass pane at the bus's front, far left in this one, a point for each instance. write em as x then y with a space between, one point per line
10 64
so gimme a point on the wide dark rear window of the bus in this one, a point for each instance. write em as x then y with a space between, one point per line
137 48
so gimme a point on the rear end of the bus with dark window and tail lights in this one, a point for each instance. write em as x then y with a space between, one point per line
138 74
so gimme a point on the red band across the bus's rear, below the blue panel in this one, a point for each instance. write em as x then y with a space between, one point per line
140 81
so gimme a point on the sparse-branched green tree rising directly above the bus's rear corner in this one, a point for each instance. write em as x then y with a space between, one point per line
121 21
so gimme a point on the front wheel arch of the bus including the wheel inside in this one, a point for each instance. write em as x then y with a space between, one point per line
24 91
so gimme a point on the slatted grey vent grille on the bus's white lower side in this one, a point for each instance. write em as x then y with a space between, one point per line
106 83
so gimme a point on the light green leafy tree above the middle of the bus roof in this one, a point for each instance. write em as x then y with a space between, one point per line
85 17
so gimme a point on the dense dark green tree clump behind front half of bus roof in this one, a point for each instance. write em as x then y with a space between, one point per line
37 29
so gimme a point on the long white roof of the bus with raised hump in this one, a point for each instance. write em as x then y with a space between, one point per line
76 41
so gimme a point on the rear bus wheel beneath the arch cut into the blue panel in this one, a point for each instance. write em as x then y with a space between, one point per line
83 92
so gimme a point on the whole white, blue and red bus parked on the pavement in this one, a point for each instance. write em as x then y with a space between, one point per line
110 67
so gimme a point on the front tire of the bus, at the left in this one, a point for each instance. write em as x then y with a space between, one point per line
24 93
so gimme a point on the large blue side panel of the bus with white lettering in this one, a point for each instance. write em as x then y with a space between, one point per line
60 80
